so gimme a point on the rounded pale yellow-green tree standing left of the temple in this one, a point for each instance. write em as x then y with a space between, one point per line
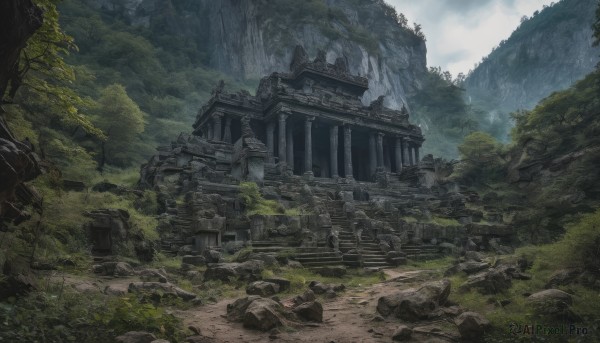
121 120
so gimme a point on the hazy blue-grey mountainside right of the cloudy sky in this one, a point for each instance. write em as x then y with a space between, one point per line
548 52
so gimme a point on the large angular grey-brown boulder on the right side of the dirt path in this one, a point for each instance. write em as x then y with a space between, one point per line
415 304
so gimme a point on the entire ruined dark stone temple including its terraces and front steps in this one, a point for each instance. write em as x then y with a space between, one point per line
350 175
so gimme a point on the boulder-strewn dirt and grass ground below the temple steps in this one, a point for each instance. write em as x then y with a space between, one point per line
431 301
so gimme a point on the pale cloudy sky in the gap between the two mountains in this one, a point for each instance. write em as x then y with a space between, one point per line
460 32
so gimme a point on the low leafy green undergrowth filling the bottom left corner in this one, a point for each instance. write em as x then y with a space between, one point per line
64 316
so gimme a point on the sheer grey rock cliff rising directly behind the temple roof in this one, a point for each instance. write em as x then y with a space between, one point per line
252 38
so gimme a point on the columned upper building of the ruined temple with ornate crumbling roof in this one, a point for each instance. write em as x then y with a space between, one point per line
312 122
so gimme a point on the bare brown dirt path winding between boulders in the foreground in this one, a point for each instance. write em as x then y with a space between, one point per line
351 317
